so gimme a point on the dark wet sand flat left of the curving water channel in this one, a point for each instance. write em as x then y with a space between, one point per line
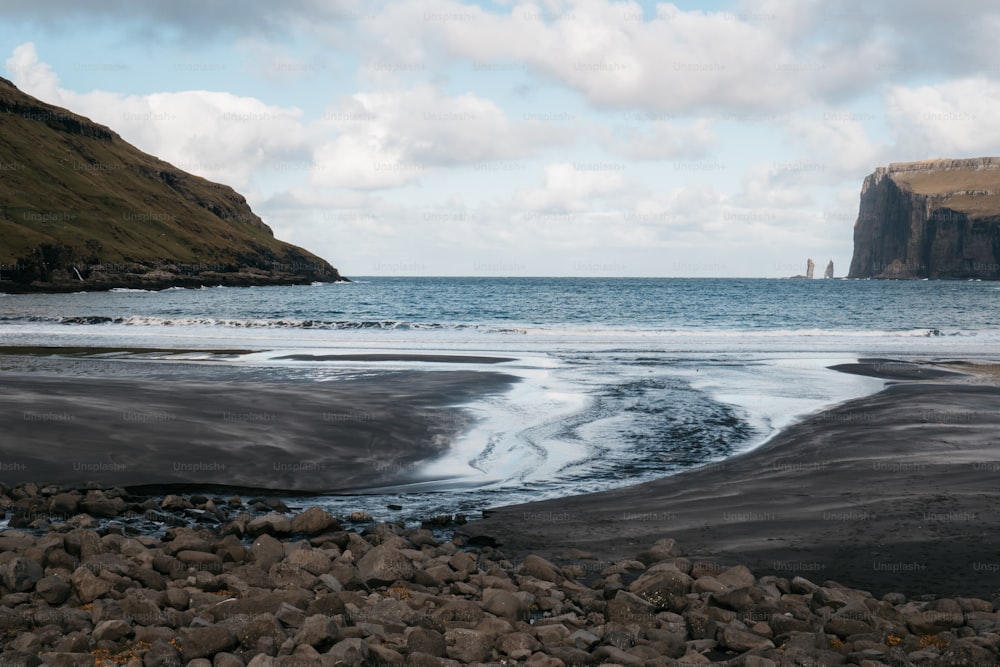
319 437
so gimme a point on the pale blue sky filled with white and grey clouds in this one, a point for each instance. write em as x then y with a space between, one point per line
549 138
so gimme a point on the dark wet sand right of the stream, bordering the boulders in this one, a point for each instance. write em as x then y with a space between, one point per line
899 491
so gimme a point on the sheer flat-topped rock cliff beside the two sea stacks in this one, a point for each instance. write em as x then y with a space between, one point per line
930 219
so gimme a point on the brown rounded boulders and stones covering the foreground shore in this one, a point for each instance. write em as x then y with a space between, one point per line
230 583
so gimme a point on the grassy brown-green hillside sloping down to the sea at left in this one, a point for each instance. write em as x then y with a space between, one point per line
81 209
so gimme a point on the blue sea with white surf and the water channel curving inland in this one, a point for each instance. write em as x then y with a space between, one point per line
620 380
